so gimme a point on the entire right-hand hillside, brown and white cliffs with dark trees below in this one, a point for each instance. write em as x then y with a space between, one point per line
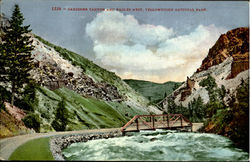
218 92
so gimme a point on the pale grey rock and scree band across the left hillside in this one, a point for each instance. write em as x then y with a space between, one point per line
53 72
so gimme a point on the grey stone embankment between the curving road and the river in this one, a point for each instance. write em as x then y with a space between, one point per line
58 143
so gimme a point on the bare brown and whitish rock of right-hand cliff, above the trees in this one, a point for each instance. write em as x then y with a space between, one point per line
227 61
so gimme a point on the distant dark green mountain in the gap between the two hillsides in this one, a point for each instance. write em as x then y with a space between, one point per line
154 92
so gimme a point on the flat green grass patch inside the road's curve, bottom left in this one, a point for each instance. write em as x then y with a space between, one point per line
37 149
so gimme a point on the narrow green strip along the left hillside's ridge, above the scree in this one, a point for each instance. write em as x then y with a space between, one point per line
97 73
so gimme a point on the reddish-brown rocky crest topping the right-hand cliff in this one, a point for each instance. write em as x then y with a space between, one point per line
232 44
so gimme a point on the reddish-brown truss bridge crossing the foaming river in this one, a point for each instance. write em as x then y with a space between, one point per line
153 122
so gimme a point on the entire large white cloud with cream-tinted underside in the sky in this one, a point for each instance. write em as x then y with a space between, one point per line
145 51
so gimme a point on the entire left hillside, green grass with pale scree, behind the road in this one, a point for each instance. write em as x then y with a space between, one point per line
70 92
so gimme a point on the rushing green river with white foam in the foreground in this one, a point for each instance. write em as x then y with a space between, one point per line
157 145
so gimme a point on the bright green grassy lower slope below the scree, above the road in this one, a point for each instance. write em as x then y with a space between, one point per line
84 113
